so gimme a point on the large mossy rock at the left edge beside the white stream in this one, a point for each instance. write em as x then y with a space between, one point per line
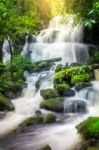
5 103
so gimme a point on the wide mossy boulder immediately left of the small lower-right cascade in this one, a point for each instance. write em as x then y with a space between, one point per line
54 104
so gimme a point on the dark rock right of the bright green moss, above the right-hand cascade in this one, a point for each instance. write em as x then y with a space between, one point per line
81 85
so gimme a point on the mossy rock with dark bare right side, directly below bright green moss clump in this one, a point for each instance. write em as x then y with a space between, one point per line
65 90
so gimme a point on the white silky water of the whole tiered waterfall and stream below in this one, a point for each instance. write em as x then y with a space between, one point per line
59 40
